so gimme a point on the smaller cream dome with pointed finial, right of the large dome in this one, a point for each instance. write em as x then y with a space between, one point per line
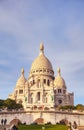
59 81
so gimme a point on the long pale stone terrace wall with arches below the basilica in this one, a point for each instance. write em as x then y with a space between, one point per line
48 116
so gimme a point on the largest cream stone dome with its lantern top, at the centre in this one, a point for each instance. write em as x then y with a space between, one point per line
41 63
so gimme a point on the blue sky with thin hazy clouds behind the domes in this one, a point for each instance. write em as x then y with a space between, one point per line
59 24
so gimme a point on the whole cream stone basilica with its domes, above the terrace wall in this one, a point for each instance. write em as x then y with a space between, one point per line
42 88
